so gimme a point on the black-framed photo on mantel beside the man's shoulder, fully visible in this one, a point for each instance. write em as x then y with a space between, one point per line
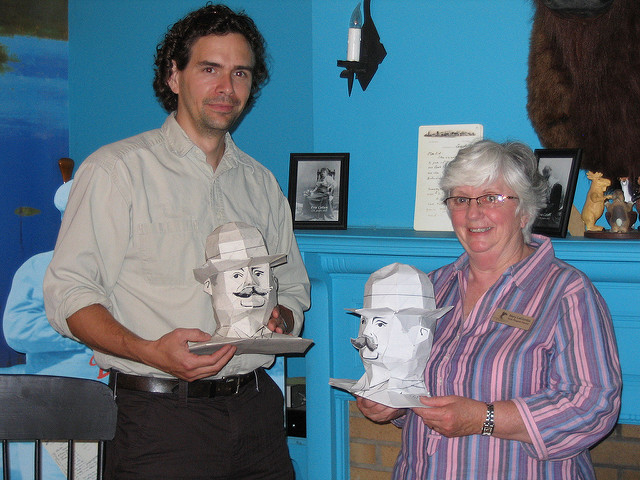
318 187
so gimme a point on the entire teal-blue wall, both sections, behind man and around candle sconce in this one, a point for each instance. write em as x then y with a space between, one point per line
447 62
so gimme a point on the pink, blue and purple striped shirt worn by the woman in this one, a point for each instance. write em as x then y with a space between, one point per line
563 373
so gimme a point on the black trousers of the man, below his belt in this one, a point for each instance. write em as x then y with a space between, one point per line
160 436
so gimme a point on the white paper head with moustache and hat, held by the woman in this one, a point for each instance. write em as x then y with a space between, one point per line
396 329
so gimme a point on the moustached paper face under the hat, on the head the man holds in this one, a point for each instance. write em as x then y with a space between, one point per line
243 300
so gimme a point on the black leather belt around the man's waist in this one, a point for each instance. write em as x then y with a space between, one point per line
198 388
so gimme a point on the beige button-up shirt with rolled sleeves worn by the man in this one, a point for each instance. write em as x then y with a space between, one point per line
135 227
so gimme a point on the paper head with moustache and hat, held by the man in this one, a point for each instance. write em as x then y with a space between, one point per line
239 277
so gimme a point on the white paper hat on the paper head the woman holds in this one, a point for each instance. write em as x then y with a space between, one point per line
397 288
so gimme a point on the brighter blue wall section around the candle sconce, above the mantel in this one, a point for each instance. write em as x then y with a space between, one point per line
447 62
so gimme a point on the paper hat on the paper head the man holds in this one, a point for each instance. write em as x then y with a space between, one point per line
235 245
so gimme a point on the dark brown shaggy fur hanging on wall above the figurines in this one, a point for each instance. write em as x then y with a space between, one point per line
584 86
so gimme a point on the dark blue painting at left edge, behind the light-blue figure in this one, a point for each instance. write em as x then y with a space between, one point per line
34 134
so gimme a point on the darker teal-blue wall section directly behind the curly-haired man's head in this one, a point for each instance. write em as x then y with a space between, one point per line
112 44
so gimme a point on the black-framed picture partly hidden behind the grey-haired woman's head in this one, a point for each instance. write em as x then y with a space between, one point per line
560 167
